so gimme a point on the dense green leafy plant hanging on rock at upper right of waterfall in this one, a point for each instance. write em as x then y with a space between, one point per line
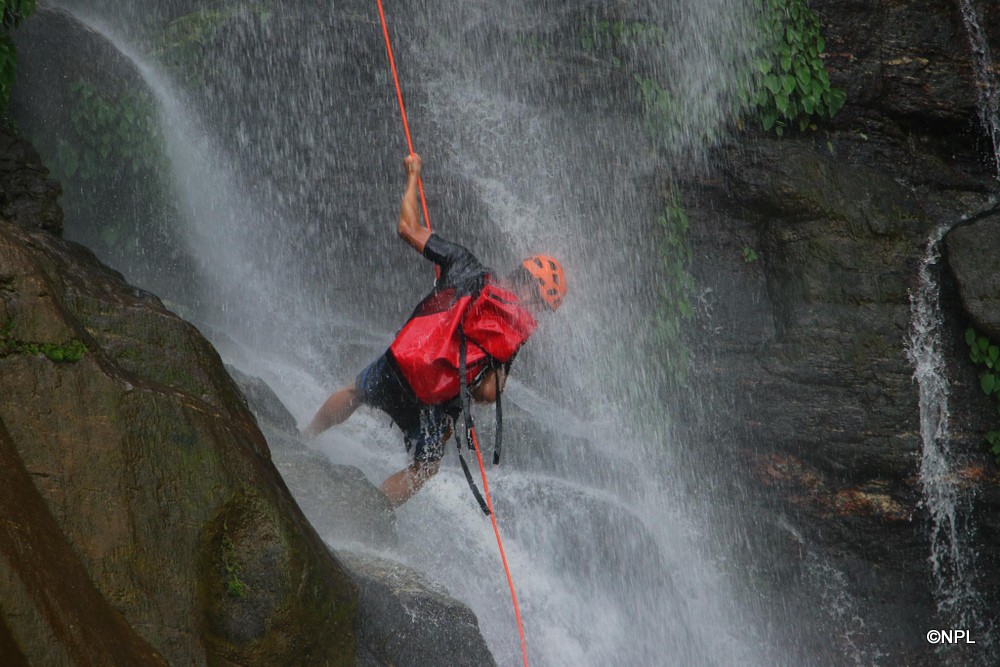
794 87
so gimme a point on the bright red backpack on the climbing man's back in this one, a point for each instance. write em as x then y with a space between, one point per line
427 348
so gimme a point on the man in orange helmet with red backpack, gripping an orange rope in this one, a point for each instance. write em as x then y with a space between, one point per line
408 382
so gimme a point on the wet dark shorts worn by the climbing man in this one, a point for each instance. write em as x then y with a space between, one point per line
424 427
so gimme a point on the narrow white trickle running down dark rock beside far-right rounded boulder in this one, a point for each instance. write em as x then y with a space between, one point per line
951 559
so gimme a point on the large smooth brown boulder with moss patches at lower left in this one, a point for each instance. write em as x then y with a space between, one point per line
135 466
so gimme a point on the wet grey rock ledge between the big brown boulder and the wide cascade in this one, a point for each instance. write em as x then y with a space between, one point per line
402 618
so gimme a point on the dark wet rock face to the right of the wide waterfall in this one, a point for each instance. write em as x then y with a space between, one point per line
806 346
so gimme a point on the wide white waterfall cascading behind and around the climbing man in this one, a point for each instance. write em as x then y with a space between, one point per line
615 563
